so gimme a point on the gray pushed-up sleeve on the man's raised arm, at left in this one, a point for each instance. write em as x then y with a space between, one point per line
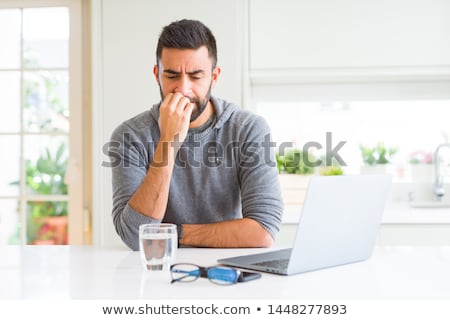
129 160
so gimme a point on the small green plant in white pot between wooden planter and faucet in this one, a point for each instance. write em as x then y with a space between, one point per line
376 158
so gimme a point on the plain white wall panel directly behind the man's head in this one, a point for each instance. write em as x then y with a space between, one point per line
124 44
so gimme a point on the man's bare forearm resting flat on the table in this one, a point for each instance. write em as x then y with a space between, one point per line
227 234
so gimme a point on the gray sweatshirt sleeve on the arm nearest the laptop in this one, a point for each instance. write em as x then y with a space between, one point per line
260 187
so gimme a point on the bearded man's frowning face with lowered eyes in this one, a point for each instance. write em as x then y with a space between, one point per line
188 71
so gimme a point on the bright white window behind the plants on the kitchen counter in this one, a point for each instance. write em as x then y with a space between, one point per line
408 126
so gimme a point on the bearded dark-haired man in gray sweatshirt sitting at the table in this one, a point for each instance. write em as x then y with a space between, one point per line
193 159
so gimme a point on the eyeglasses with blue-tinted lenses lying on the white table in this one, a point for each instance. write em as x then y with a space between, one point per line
187 272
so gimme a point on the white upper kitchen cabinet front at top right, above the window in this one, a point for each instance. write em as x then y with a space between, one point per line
289 34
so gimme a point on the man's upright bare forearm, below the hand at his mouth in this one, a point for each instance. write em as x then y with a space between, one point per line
151 197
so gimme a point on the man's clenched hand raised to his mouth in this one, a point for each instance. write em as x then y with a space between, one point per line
174 117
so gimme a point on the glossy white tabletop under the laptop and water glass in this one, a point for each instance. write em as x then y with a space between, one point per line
86 272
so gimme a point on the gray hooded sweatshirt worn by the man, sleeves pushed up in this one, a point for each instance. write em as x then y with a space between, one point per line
224 170
